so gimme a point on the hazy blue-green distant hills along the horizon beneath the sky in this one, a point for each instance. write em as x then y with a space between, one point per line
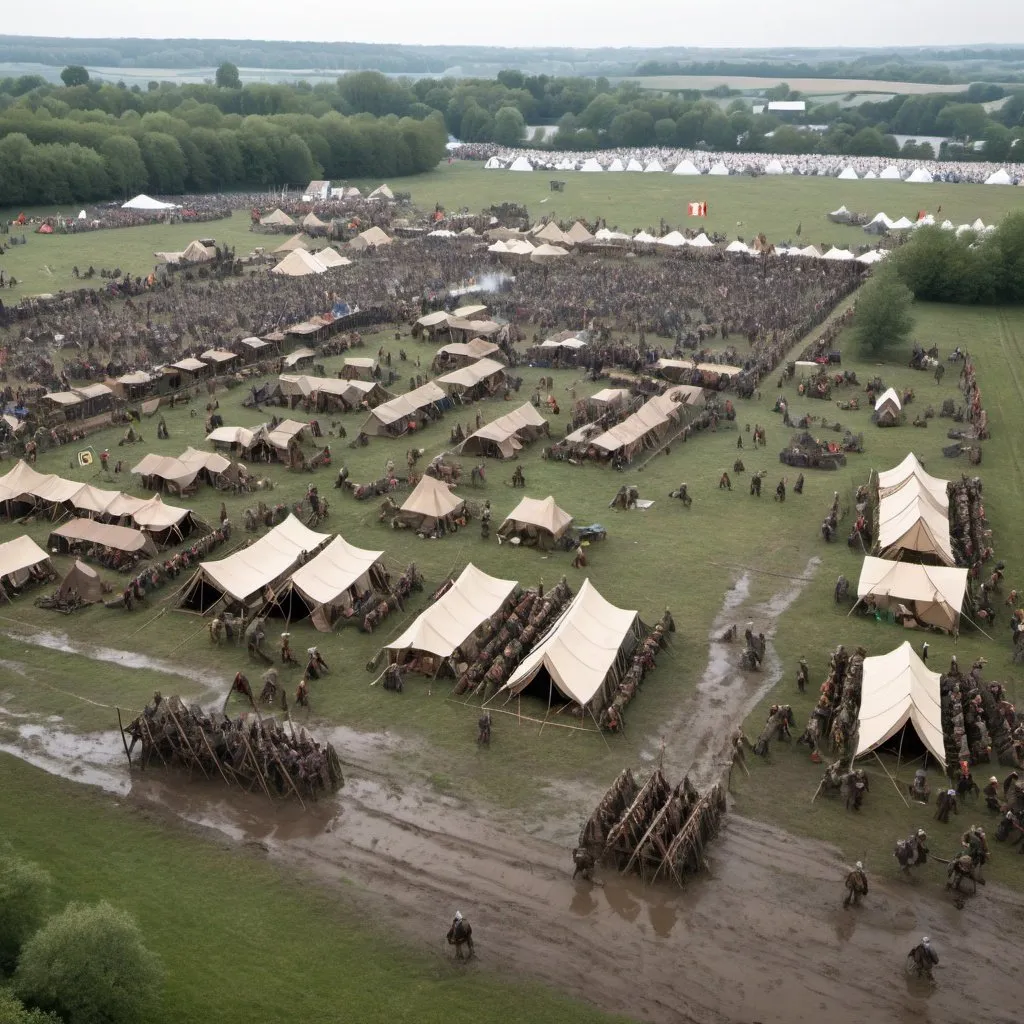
936 66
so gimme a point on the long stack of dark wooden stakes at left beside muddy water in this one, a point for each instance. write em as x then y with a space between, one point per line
257 753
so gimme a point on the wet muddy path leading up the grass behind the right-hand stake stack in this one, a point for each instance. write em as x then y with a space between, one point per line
699 736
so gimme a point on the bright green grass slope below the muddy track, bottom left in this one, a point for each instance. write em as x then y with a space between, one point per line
240 938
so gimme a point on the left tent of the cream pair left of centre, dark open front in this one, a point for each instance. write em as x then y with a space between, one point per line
247 574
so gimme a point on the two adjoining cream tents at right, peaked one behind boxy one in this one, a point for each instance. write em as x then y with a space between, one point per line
916 573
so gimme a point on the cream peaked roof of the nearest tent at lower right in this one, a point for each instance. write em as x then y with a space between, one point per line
899 689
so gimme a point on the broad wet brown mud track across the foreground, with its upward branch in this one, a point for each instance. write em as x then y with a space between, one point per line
762 938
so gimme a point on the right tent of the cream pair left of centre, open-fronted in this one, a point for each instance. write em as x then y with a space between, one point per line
331 583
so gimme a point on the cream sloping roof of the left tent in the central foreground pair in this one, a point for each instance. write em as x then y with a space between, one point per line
446 625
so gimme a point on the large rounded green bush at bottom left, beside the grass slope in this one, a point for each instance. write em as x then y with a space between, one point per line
90 965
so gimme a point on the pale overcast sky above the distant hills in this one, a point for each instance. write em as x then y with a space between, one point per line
532 23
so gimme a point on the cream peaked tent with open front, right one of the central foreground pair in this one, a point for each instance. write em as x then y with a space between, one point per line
585 654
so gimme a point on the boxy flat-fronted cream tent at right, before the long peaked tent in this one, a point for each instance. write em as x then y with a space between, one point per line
933 593
